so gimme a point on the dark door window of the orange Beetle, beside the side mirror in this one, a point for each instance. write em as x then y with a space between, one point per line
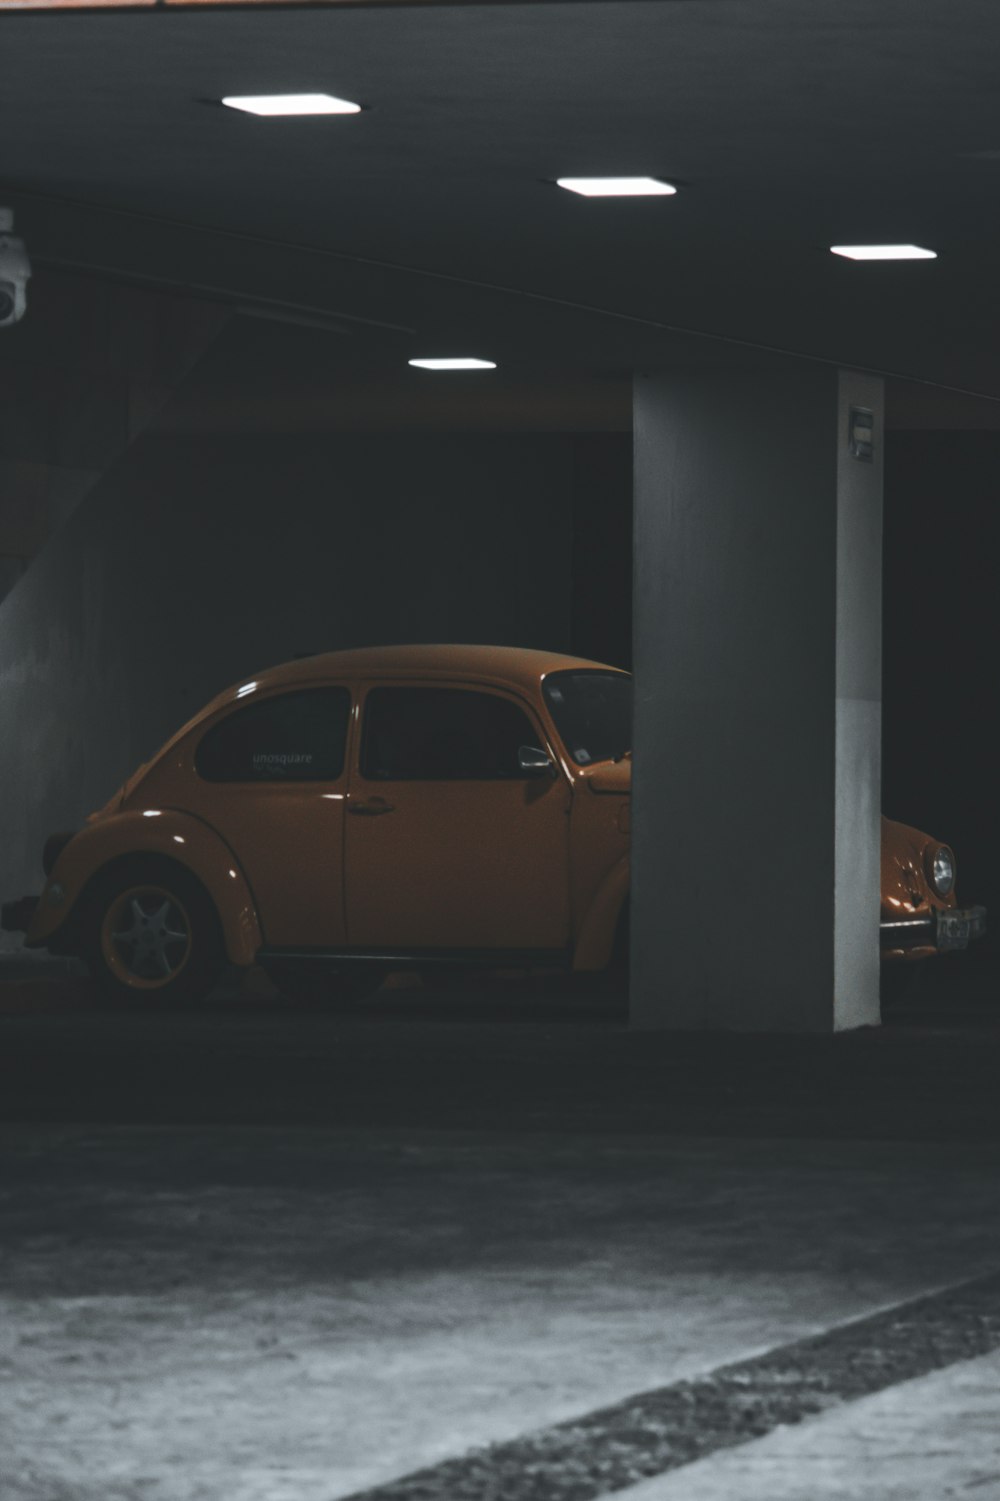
442 735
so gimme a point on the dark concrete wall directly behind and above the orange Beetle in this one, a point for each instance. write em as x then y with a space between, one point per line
199 561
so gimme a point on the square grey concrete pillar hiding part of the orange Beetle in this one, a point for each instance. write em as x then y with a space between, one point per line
759 699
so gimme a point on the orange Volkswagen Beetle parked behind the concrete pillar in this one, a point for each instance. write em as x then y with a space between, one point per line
390 807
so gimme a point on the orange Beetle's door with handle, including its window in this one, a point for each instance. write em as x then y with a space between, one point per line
450 844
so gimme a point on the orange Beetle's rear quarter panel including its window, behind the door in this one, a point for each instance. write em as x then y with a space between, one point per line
271 777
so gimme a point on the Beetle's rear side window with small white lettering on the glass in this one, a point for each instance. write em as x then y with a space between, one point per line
295 738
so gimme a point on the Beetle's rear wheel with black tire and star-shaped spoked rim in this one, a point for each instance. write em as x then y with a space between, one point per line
151 936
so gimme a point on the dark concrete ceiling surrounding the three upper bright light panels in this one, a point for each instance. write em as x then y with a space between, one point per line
430 223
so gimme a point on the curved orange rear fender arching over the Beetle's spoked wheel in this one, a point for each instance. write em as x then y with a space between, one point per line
169 834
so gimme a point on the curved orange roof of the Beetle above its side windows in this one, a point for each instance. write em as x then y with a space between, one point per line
522 666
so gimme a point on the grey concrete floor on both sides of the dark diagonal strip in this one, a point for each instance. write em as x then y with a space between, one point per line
262 1256
